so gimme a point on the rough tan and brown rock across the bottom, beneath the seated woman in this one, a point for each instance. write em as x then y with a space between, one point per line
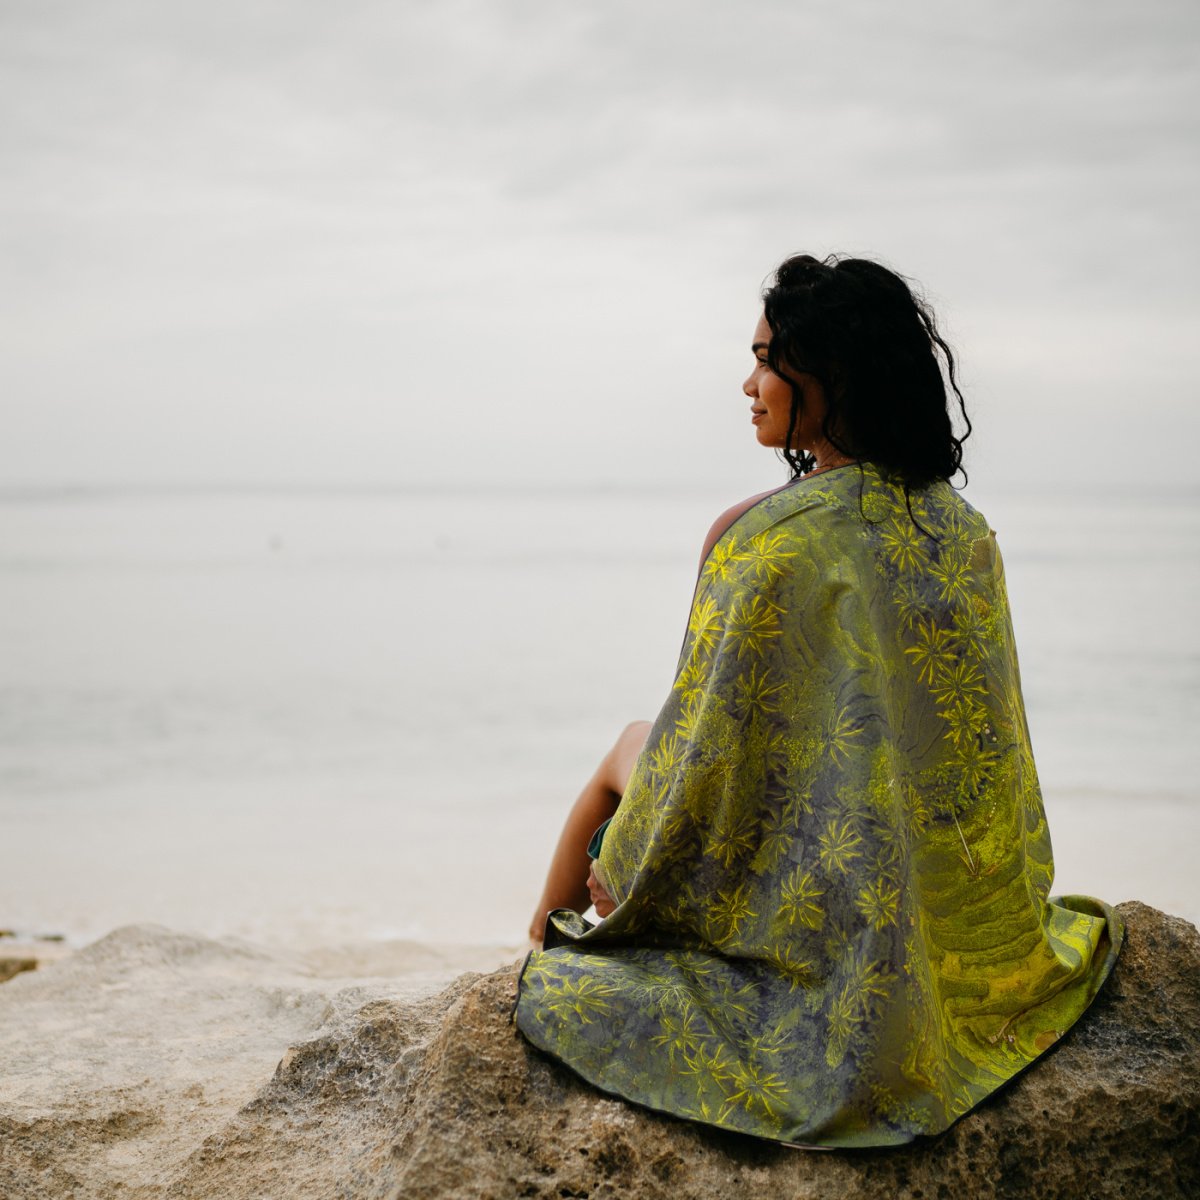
157 1065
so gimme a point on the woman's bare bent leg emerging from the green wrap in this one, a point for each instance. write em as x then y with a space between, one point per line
567 883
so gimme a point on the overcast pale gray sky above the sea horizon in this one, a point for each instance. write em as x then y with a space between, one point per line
401 243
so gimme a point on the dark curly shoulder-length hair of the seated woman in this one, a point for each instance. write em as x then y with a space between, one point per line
874 346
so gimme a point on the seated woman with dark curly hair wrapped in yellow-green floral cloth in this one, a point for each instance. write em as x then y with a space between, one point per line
824 872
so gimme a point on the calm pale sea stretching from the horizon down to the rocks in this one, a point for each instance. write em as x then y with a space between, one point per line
322 715
